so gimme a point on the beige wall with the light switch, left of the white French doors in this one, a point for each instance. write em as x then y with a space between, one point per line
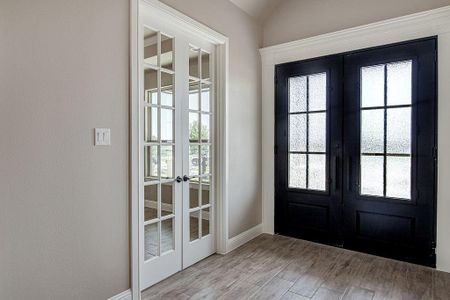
63 202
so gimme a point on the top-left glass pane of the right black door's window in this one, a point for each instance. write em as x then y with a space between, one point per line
372 86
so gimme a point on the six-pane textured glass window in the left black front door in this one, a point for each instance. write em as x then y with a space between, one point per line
307 132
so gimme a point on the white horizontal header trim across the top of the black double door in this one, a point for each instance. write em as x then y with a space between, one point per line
436 21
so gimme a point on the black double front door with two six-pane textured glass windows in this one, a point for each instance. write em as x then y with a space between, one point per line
355 150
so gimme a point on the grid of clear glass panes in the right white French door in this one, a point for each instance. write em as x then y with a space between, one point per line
200 144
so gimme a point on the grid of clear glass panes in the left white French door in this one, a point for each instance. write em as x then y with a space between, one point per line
158 143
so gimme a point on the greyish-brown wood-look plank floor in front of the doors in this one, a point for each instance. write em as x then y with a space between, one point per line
277 267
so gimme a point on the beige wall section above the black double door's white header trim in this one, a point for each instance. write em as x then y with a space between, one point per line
297 19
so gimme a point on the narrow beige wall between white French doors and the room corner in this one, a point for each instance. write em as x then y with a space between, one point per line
244 109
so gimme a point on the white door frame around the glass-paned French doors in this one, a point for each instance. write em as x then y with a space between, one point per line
192 27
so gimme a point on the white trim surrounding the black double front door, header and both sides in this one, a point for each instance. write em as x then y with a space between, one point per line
424 24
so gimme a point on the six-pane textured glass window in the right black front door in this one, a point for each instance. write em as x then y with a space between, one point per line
386 98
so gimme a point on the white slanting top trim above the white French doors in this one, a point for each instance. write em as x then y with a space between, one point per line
186 23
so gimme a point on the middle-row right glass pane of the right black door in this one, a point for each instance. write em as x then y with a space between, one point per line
399 130
